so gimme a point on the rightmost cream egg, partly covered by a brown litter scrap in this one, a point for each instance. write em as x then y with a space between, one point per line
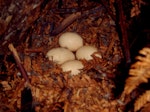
86 52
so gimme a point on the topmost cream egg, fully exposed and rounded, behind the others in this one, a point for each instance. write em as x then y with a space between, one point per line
71 41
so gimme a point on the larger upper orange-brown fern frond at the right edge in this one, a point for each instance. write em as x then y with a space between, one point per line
139 72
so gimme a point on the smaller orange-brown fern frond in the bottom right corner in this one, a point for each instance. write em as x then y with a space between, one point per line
141 101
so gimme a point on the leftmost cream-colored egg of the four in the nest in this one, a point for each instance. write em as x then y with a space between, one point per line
60 55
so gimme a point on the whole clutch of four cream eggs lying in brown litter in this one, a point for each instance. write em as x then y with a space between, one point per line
70 52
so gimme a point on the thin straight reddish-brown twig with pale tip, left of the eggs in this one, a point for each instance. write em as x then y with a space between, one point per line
18 61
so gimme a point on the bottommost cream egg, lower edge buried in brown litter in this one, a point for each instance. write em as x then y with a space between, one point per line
73 66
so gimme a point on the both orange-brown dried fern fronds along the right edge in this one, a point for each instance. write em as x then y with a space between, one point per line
139 73
